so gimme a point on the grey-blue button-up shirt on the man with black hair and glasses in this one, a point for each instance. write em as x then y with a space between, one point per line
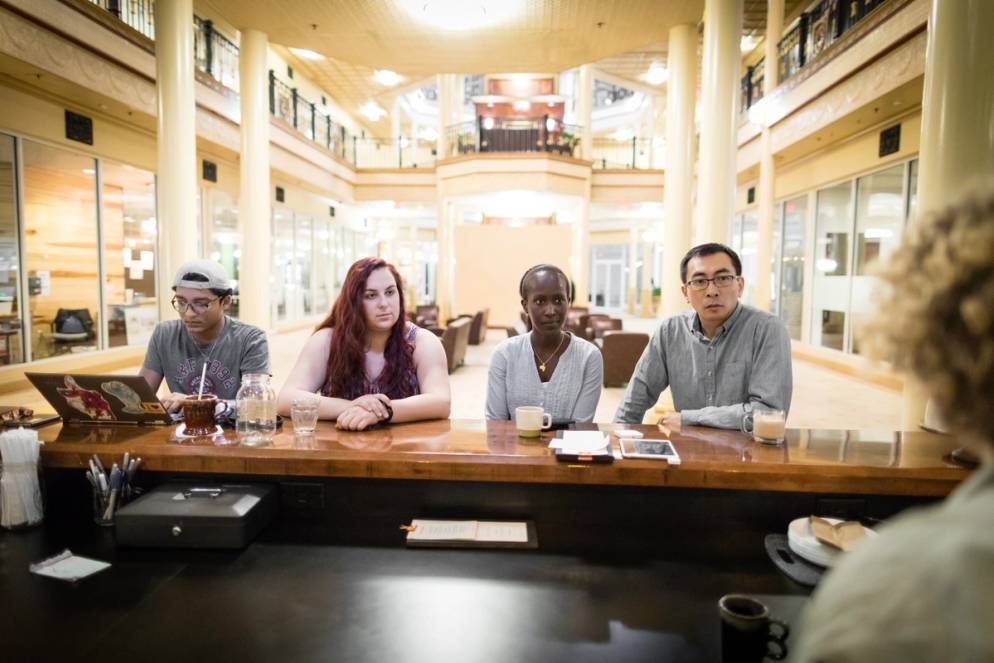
714 381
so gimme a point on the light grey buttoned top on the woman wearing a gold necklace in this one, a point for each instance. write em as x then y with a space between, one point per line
571 394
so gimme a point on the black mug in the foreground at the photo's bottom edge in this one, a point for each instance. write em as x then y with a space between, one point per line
747 634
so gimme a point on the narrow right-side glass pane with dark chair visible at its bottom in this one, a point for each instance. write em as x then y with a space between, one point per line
830 289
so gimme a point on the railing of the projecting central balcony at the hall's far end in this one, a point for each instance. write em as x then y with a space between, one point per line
534 134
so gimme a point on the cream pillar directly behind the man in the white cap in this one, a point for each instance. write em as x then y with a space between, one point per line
176 178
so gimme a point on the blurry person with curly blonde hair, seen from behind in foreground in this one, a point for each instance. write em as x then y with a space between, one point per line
924 589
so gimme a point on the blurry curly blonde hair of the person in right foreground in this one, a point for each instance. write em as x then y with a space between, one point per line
935 314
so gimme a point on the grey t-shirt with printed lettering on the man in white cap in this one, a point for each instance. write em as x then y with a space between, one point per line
240 349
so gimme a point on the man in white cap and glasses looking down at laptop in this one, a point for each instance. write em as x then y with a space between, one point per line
203 334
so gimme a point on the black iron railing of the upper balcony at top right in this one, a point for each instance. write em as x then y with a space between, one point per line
807 37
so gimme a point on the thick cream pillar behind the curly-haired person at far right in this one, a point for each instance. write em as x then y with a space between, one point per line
957 138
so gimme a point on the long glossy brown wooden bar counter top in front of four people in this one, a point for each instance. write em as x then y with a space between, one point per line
811 461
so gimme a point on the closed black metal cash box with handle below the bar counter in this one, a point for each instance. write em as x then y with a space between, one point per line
177 515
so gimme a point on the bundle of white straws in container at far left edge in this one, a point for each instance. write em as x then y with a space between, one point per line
20 492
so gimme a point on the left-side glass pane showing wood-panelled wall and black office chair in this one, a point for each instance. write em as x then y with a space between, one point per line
60 222
